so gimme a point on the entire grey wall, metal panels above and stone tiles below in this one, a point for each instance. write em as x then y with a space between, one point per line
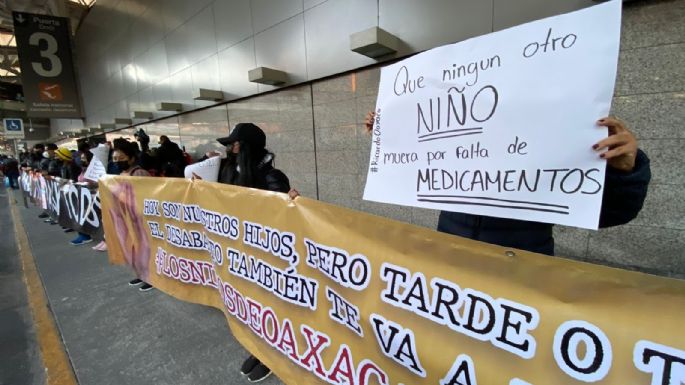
149 52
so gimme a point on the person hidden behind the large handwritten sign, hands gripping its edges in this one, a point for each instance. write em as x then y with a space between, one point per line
625 189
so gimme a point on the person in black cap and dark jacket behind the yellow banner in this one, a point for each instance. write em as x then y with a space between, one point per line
250 164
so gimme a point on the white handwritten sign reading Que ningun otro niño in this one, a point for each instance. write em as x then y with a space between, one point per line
503 124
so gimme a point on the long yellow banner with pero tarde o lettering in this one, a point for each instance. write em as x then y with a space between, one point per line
323 294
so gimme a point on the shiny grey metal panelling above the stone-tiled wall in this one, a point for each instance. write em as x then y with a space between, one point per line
133 53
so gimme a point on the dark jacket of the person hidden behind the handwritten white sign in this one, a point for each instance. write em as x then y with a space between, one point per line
624 195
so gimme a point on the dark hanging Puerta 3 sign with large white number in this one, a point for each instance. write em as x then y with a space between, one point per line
47 70
